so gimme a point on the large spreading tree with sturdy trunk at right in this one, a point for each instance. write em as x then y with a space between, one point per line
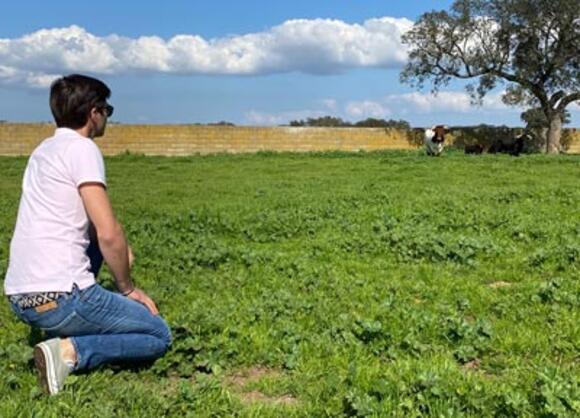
533 46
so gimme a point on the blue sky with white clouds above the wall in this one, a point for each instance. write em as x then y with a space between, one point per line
250 62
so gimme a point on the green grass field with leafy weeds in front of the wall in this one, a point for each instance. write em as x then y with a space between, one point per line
372 284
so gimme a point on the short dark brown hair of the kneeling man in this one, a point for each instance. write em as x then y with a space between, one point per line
72 97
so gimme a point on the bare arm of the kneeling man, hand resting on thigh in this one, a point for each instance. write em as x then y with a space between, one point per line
112 241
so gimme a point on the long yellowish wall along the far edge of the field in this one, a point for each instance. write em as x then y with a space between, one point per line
21 139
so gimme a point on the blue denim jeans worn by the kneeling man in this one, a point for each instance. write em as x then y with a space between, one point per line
104 327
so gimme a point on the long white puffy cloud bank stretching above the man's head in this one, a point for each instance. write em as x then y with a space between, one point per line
317 46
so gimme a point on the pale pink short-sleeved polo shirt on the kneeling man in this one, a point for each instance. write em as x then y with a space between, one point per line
48 249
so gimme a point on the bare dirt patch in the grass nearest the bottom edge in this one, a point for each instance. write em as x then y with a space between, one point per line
239 380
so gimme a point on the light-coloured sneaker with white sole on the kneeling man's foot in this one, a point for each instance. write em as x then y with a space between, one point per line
52 369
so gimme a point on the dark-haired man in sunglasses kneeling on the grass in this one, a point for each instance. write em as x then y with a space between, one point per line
63 210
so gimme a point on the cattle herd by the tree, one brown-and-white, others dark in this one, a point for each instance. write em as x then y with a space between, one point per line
434 141
